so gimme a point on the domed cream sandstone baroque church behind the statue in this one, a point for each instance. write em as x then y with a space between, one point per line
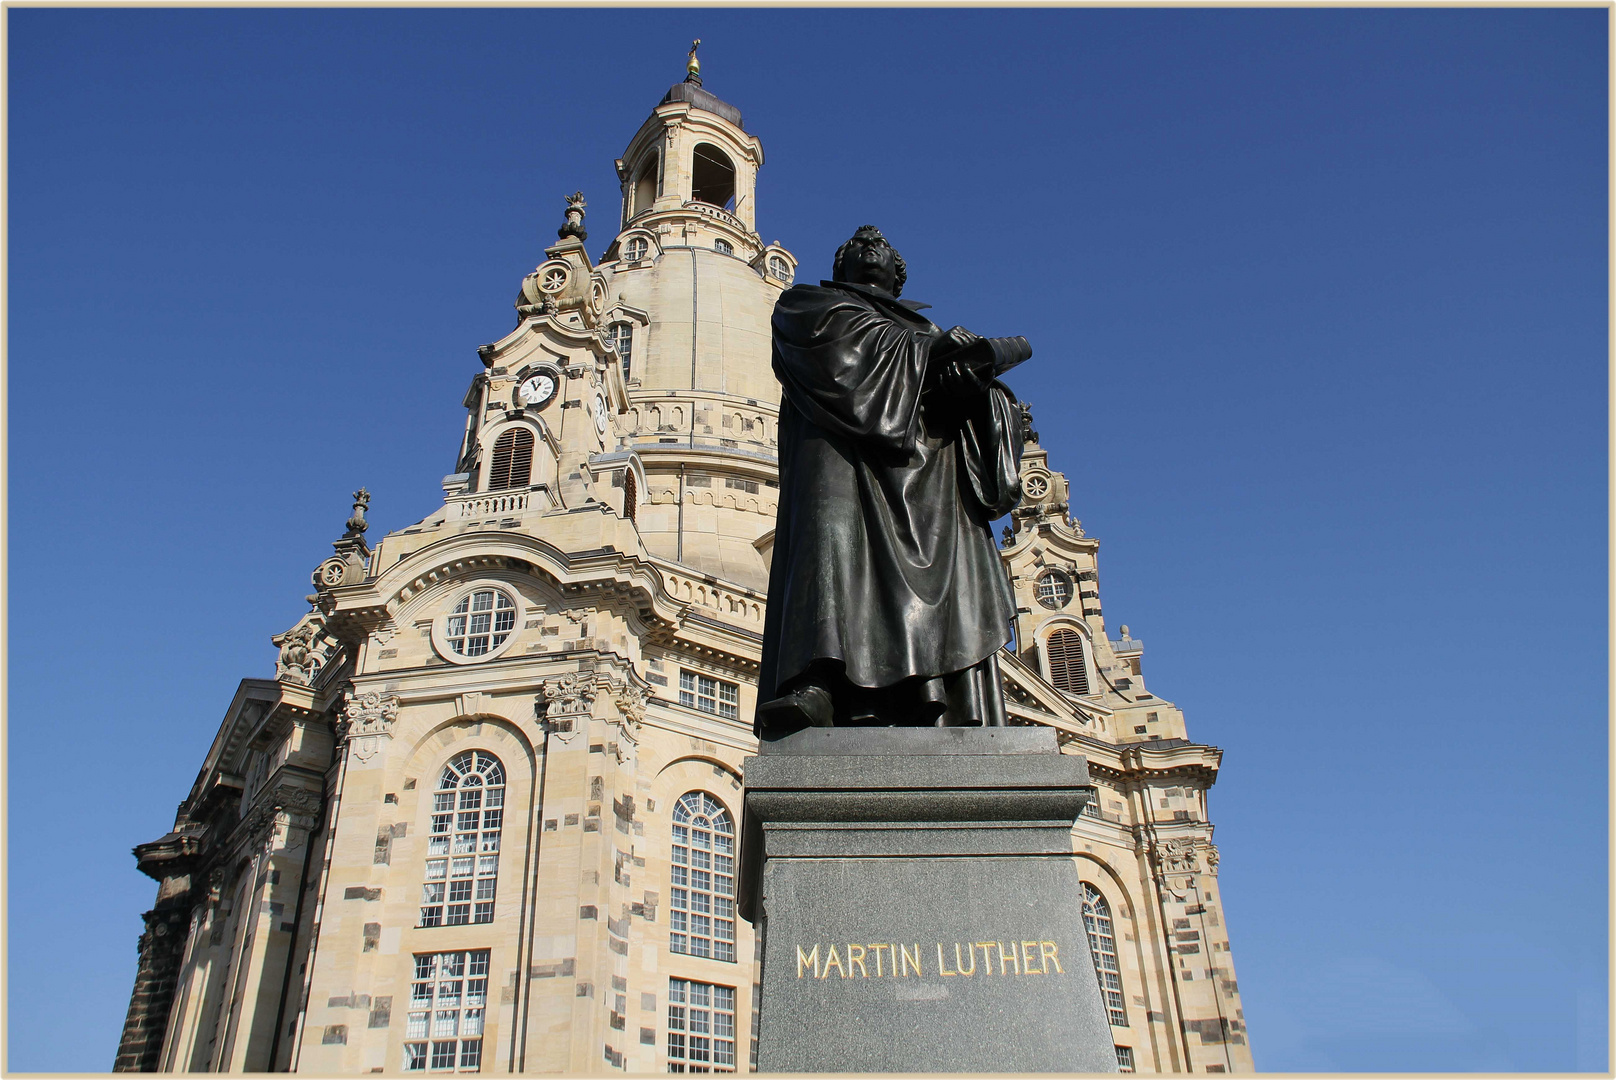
484 817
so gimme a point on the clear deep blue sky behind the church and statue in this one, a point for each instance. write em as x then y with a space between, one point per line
1319 303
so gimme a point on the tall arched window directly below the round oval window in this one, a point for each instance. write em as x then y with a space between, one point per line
463 850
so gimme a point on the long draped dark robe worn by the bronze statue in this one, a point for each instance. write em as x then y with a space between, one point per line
885 557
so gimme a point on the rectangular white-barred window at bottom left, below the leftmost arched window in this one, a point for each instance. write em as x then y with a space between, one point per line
447 1000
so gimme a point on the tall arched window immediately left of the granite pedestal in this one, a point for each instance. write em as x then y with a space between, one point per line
702 900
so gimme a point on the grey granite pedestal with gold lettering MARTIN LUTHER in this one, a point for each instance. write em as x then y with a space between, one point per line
919 903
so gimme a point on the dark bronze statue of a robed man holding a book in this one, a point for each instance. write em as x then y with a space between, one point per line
899 445
